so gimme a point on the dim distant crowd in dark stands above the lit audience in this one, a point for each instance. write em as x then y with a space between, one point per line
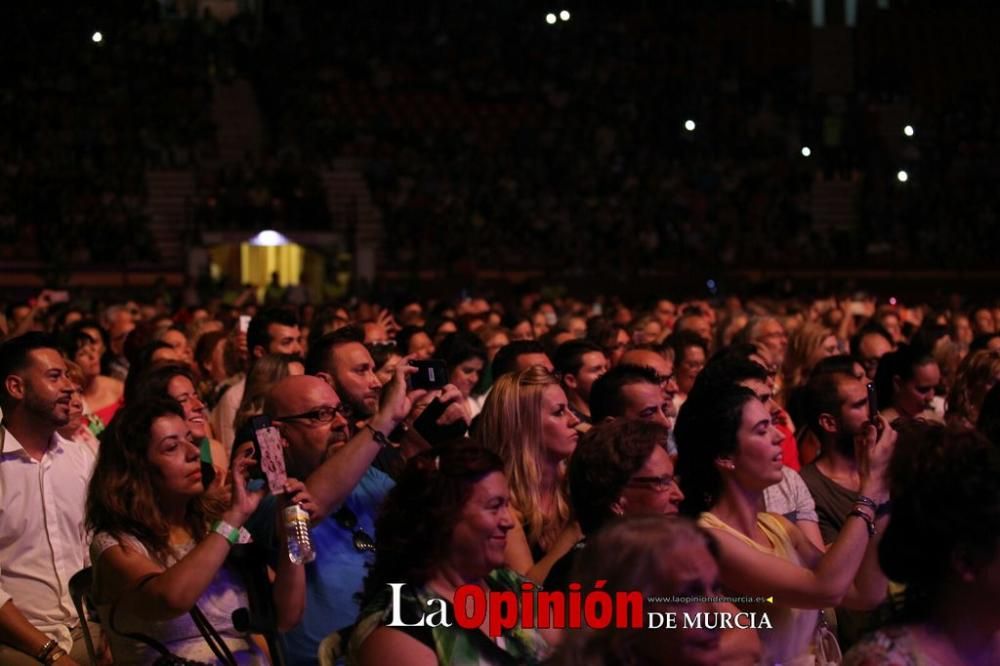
478 128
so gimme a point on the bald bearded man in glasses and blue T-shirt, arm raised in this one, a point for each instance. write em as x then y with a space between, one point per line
346 488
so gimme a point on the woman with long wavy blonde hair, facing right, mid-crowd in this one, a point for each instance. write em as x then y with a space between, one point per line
527 421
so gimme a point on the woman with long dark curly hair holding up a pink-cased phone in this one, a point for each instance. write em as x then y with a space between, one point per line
161 540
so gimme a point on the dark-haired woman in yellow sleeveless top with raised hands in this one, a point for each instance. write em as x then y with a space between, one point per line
728 453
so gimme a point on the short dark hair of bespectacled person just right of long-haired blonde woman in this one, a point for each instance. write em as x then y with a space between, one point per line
605 459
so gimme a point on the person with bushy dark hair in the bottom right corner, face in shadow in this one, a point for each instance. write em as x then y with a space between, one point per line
944 544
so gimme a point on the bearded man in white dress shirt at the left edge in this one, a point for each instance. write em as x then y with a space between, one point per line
43 492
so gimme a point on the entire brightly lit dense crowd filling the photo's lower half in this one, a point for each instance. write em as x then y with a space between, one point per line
705 457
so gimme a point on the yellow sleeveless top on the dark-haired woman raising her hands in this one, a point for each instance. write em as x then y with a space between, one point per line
790 642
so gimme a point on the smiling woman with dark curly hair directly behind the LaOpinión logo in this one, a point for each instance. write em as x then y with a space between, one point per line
444 525
